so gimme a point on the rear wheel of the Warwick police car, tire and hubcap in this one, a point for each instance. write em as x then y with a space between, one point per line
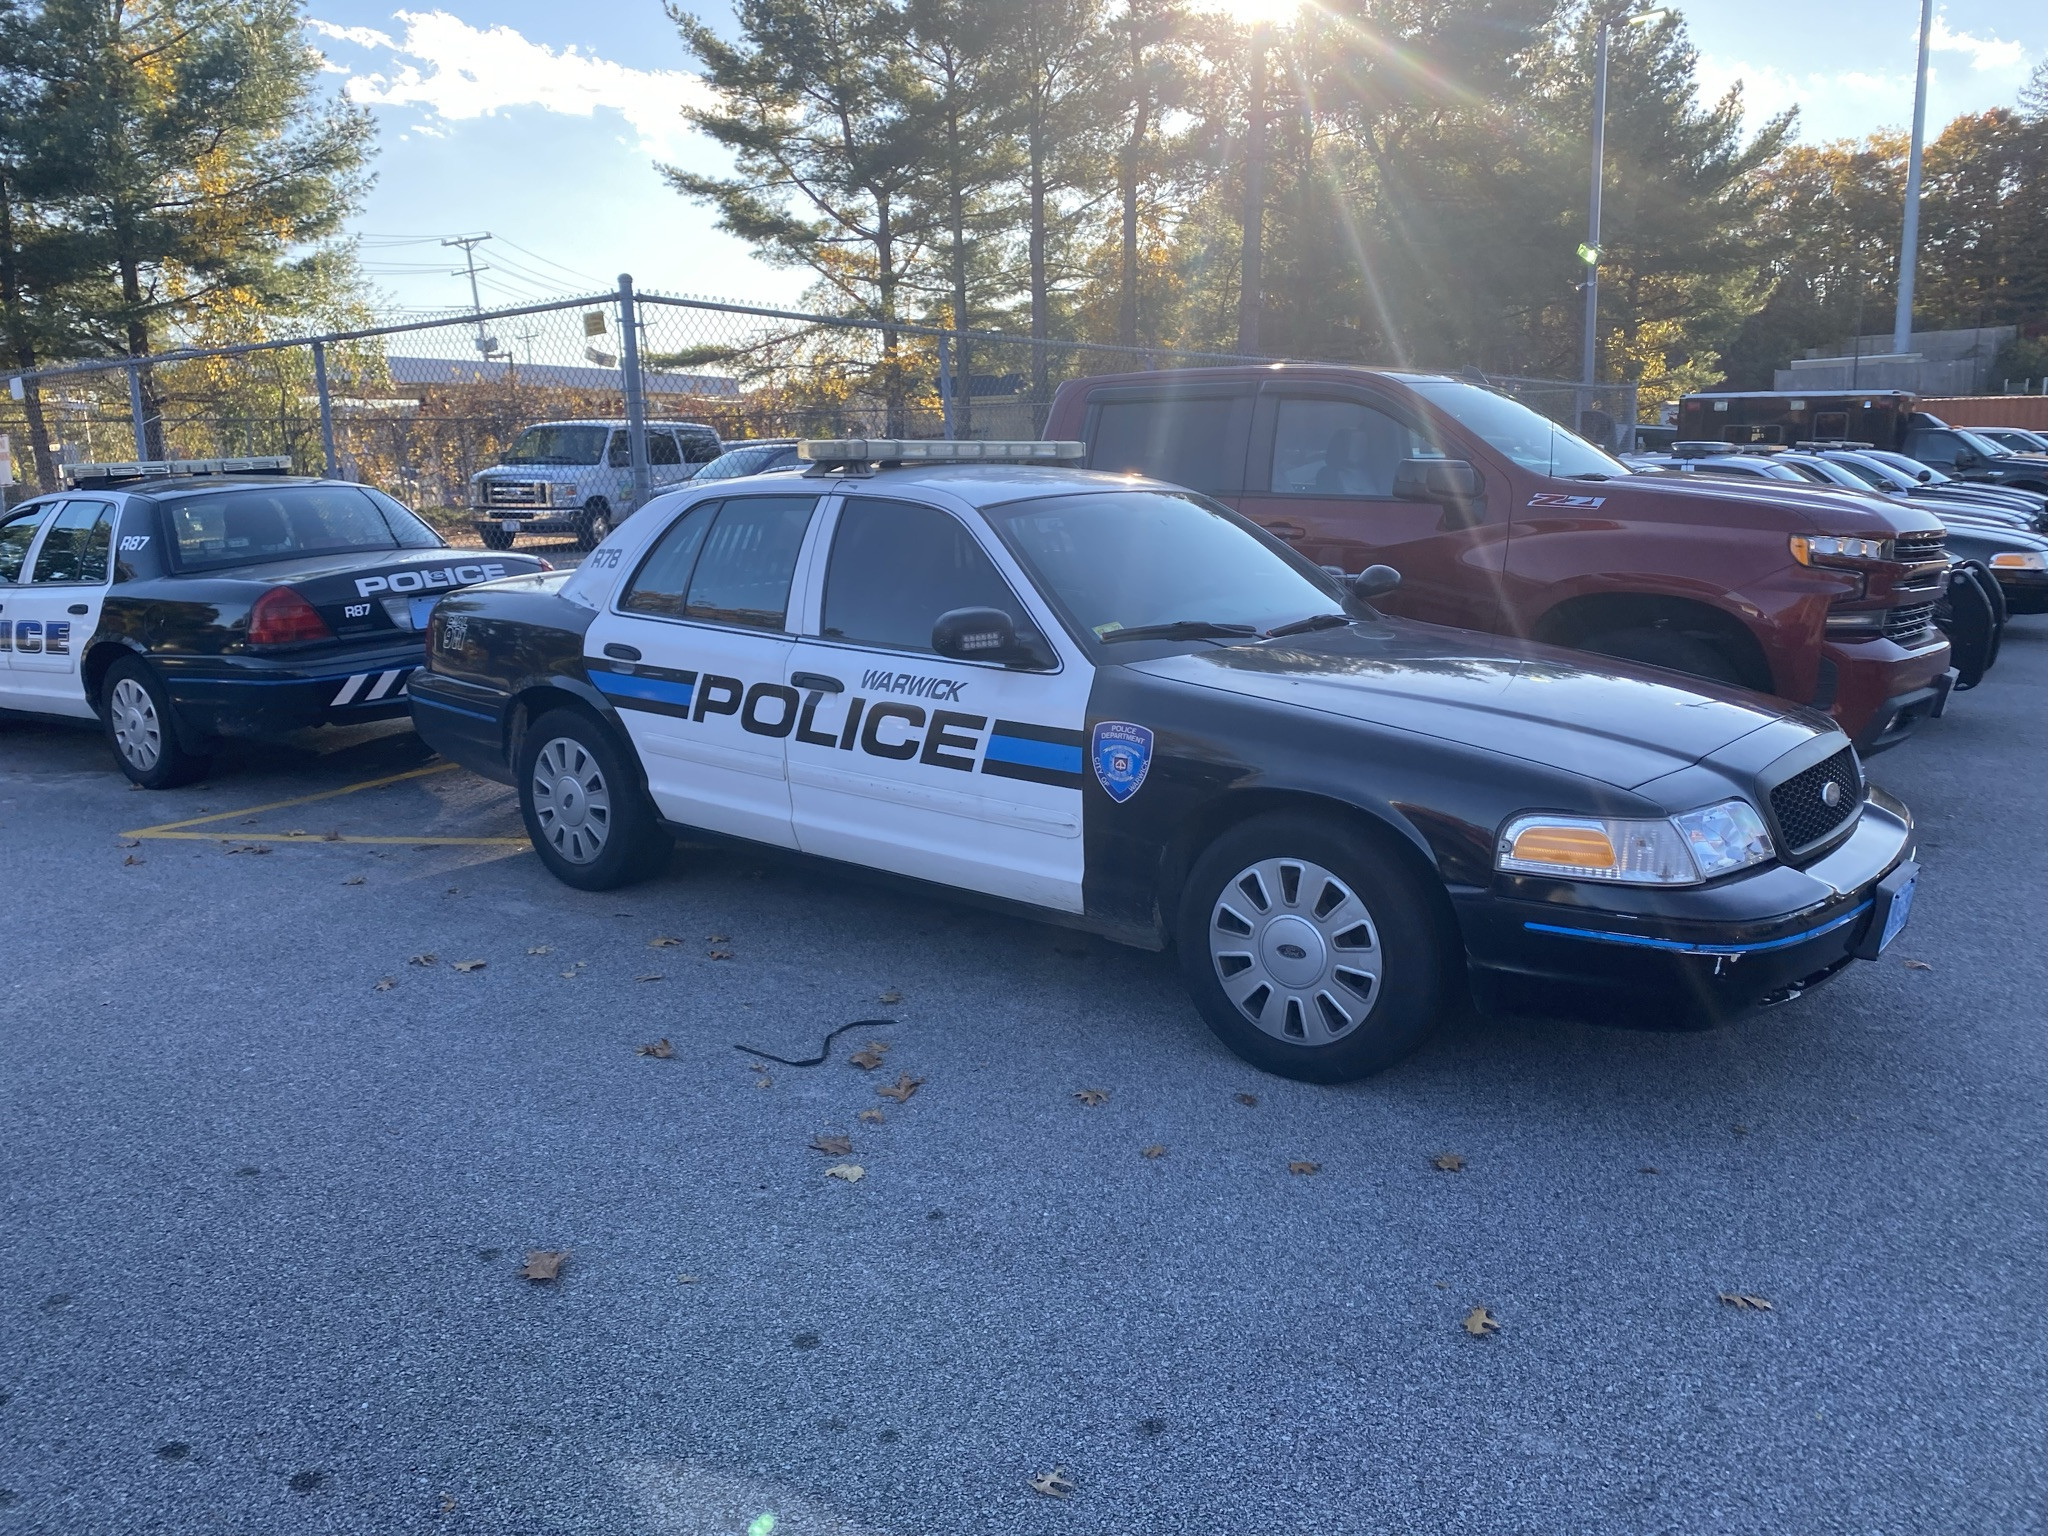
585 808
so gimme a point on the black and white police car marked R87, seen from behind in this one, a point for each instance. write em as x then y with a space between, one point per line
187 601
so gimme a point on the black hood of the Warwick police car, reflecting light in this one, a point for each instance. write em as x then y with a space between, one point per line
1609 722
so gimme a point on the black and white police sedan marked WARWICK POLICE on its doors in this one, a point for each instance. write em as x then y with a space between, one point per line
1117 706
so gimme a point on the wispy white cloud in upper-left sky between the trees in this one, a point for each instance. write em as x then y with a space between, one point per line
456 73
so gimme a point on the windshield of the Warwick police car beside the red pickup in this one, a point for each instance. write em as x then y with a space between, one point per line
1142 560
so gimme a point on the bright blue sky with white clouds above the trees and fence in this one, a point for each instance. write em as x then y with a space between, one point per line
542 124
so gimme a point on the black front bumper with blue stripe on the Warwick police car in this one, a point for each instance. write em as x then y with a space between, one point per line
1689 957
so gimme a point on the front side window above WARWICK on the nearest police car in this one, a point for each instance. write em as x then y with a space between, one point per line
898 566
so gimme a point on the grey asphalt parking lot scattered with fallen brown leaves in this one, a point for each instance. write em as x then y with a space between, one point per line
265 1213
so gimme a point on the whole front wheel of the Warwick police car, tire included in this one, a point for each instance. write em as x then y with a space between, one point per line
1345 959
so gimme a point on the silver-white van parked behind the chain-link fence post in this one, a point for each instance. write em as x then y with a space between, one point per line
579 478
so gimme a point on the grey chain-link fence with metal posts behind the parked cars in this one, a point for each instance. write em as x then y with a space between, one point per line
421 409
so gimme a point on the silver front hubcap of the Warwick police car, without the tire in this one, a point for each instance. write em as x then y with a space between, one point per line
1295 951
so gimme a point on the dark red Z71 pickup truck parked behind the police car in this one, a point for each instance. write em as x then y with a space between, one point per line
1500 519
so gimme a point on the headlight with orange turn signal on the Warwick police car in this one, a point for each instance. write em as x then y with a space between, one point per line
1678 851
